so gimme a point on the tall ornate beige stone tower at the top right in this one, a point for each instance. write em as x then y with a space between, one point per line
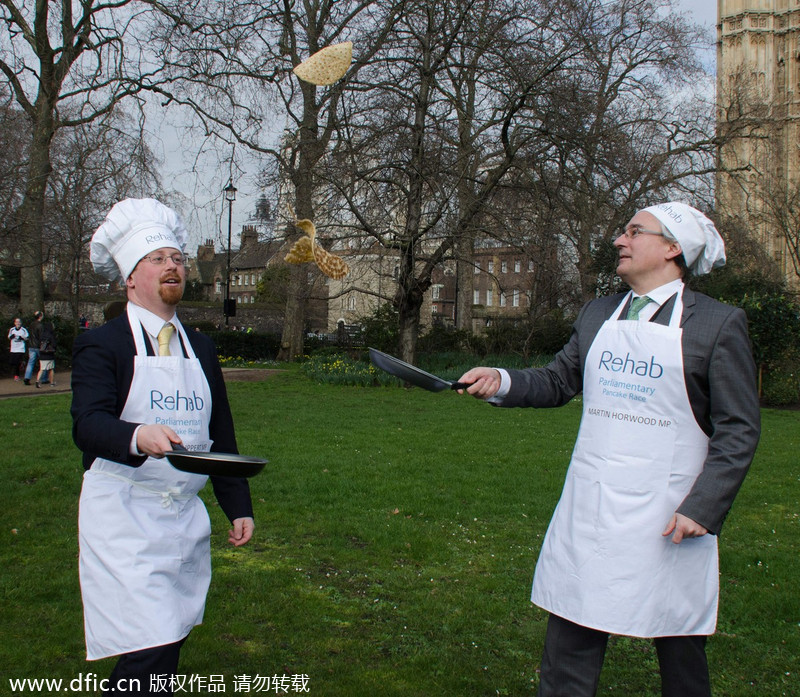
758 83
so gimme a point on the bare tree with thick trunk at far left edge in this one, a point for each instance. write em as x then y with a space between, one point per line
56 63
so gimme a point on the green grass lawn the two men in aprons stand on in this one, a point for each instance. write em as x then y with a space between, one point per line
396 535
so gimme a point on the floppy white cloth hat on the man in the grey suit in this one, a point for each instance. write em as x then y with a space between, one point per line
703 248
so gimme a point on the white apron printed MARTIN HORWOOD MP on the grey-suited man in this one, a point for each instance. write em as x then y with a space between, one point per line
604 563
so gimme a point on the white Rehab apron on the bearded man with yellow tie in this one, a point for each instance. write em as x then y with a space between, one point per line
145 559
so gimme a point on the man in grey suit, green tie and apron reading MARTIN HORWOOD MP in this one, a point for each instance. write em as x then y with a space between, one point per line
670 425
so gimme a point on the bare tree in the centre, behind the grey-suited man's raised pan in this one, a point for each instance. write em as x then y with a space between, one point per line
438 125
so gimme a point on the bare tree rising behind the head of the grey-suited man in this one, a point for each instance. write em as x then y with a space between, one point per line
623 123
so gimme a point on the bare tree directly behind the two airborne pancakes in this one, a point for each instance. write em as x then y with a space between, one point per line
233 62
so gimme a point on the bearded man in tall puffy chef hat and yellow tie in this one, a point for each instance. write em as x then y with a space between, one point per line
141 384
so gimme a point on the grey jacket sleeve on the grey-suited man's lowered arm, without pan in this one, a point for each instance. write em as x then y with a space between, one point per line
722 383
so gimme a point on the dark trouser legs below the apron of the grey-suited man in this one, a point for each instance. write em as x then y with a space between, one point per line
573 657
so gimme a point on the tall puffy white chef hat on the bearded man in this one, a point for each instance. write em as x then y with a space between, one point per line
133 228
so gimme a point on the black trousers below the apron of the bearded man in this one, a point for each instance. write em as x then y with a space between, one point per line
136 668
